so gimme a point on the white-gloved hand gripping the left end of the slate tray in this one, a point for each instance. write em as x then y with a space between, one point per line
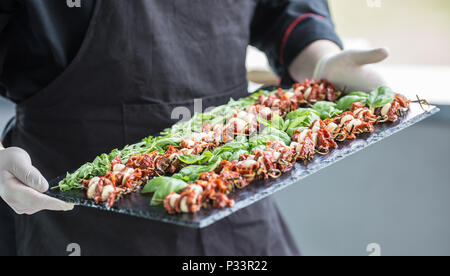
22 185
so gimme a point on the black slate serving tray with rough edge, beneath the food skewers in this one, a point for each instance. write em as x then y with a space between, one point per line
138 205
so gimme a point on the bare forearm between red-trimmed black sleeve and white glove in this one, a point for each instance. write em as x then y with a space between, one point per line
305 63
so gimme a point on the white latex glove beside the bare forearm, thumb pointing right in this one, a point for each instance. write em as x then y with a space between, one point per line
351 70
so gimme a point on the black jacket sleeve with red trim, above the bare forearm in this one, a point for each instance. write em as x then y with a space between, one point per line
283 28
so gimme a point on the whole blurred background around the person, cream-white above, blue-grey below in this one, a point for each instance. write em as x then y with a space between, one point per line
394 194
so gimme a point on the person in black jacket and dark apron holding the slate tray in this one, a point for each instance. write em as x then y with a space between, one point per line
92 75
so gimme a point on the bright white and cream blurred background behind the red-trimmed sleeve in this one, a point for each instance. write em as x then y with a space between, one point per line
416 32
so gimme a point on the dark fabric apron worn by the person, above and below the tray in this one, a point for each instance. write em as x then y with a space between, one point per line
140 59
